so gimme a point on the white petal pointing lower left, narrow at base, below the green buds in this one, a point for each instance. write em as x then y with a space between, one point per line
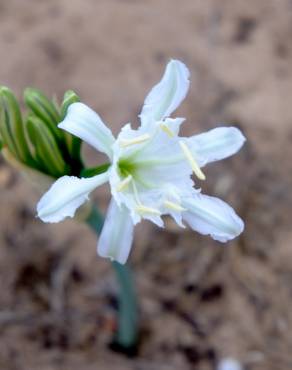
66 195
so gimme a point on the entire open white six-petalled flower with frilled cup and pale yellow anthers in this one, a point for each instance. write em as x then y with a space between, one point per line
150 172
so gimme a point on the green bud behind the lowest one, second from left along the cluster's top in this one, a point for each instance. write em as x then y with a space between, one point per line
44 109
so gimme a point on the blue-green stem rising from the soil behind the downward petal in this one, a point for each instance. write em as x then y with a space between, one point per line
126 336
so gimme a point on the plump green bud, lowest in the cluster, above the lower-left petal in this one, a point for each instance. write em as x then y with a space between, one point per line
47 152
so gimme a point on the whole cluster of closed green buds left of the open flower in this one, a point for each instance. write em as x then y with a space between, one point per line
34 139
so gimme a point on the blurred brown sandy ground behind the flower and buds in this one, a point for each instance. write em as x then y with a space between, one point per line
199 301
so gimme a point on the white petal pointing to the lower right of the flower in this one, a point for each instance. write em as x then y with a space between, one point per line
212 216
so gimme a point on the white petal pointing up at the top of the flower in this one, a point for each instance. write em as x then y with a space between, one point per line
167 95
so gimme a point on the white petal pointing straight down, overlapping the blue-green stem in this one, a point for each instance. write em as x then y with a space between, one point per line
116 237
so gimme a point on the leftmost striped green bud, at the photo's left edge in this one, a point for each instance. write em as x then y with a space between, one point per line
11 126
